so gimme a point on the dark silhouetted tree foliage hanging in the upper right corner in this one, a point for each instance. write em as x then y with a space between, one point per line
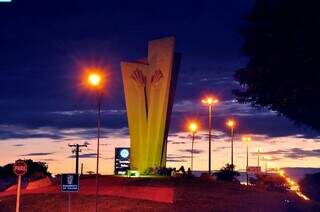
282 42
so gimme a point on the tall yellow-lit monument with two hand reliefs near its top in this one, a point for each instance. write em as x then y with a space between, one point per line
149 87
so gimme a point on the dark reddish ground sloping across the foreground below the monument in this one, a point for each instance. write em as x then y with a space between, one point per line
189 195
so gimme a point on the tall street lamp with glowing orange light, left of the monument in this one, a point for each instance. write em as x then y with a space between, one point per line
95 79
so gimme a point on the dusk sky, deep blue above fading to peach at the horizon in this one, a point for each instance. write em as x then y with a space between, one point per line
45 46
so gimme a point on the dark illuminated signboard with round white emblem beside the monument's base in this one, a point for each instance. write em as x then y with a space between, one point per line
121 160
